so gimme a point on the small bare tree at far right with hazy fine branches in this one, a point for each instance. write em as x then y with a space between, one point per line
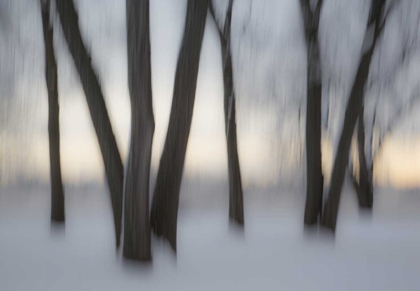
394 78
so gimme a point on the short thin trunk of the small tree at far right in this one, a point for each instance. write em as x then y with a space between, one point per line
365 190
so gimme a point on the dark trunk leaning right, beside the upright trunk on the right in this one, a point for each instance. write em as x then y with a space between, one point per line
376 23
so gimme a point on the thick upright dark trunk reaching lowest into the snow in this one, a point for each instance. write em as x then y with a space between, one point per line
136 204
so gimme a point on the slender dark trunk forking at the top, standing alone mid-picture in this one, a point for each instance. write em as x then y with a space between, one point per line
236 202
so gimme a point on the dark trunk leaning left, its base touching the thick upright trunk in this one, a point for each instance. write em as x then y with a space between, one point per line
95 99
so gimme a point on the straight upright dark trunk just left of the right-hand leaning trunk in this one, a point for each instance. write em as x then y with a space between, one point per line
314 177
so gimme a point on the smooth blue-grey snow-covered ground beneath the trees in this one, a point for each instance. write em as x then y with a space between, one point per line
369 252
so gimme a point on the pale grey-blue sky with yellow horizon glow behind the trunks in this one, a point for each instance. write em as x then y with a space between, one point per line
269 70
